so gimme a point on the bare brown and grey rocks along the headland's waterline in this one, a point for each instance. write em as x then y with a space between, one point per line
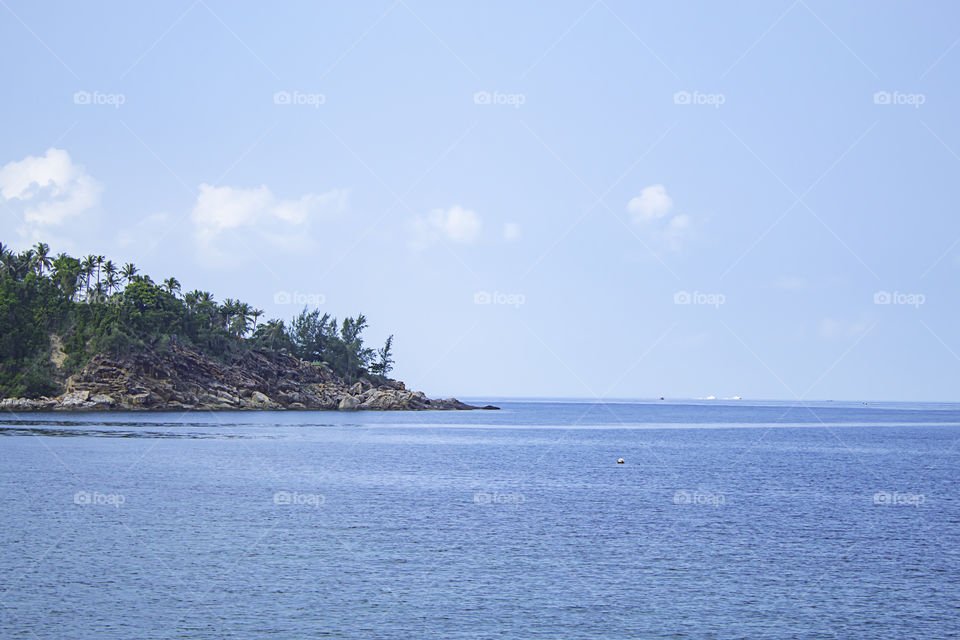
180 380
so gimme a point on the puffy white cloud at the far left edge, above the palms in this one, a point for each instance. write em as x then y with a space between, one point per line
51 187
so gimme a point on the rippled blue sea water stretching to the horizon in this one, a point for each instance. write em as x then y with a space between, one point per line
727 520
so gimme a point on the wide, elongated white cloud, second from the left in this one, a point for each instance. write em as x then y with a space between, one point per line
221 208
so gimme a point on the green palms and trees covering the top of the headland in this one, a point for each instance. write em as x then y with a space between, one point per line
95 306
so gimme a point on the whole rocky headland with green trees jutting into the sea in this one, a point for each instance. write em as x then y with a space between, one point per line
85 334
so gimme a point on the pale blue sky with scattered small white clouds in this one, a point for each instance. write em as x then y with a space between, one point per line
591 199
